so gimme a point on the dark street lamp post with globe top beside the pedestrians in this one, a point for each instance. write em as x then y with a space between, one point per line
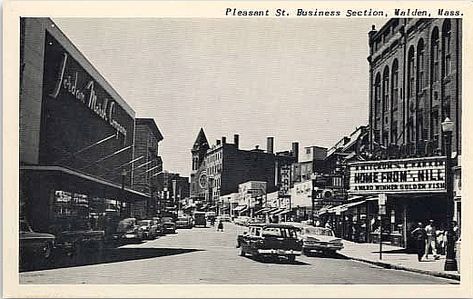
450 261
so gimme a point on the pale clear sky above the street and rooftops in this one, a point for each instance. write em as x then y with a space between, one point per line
302 80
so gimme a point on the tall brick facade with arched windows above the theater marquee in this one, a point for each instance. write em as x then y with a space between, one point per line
415 83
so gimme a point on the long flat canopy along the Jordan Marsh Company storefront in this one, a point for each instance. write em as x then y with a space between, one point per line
83 182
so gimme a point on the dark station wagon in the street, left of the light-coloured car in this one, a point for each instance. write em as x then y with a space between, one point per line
275 240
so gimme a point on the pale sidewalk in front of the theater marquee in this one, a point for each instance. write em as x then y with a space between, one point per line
396 258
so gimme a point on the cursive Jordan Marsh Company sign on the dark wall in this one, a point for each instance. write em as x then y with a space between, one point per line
77 83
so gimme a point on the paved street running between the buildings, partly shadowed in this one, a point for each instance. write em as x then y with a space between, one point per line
203 255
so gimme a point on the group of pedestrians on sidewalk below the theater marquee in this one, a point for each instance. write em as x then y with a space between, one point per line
429 239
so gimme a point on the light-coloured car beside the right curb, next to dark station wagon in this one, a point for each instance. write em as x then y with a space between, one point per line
319 239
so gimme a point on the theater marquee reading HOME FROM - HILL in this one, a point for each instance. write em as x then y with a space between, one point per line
398 176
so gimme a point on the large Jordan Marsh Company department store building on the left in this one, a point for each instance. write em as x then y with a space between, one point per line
76 135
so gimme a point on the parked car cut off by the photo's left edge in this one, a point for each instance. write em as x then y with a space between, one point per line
34 246
